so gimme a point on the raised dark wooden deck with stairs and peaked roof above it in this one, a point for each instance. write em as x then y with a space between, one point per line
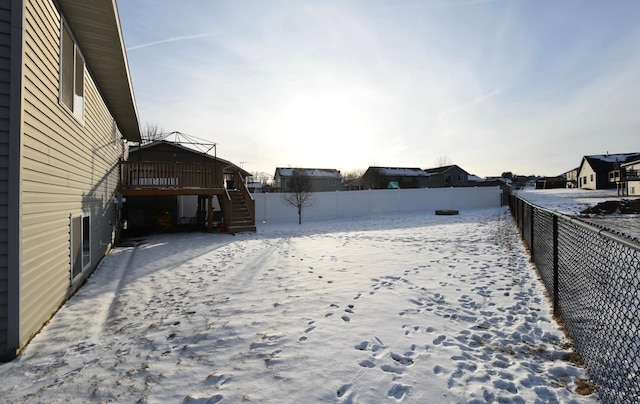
168 184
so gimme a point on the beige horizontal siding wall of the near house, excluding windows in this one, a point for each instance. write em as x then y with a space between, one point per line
68 167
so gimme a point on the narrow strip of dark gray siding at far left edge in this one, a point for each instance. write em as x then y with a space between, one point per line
5 79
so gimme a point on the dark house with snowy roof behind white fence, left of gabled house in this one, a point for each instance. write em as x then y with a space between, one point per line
394 177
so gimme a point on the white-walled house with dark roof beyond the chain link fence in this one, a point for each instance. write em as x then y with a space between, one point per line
593 172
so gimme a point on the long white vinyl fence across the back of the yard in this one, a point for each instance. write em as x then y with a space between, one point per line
334 205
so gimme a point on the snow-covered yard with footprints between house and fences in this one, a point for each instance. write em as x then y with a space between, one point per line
413 308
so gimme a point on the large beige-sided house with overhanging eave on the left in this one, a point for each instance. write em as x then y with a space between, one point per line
66 112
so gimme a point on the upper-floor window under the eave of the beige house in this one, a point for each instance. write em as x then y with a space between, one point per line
71 74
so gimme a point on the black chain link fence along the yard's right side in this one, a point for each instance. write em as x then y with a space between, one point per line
592 275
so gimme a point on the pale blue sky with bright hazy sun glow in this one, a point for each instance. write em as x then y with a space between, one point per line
490 85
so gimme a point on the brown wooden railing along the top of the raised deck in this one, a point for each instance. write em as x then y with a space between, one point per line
169 175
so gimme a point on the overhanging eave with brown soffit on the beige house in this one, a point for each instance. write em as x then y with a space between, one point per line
96 28
